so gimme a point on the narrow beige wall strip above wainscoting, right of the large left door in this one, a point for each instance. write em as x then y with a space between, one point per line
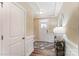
29 21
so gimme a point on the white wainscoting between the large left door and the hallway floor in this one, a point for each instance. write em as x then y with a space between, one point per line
29 45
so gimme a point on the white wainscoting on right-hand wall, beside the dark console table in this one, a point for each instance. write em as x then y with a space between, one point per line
71 48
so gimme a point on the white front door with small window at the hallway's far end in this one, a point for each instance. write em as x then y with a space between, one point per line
43 32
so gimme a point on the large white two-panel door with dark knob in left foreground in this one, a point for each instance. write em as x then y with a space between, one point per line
13 30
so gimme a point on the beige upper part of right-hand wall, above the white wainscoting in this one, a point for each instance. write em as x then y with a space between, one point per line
71 19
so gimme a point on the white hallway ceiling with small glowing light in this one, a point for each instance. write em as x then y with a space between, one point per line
46 9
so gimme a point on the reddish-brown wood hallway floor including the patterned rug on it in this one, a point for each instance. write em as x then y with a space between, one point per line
42 48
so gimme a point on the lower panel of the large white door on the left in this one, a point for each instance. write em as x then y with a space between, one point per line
17 49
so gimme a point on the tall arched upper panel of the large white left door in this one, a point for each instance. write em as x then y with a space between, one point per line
16 22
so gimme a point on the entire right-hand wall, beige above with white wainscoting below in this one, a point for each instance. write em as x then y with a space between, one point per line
70 22
